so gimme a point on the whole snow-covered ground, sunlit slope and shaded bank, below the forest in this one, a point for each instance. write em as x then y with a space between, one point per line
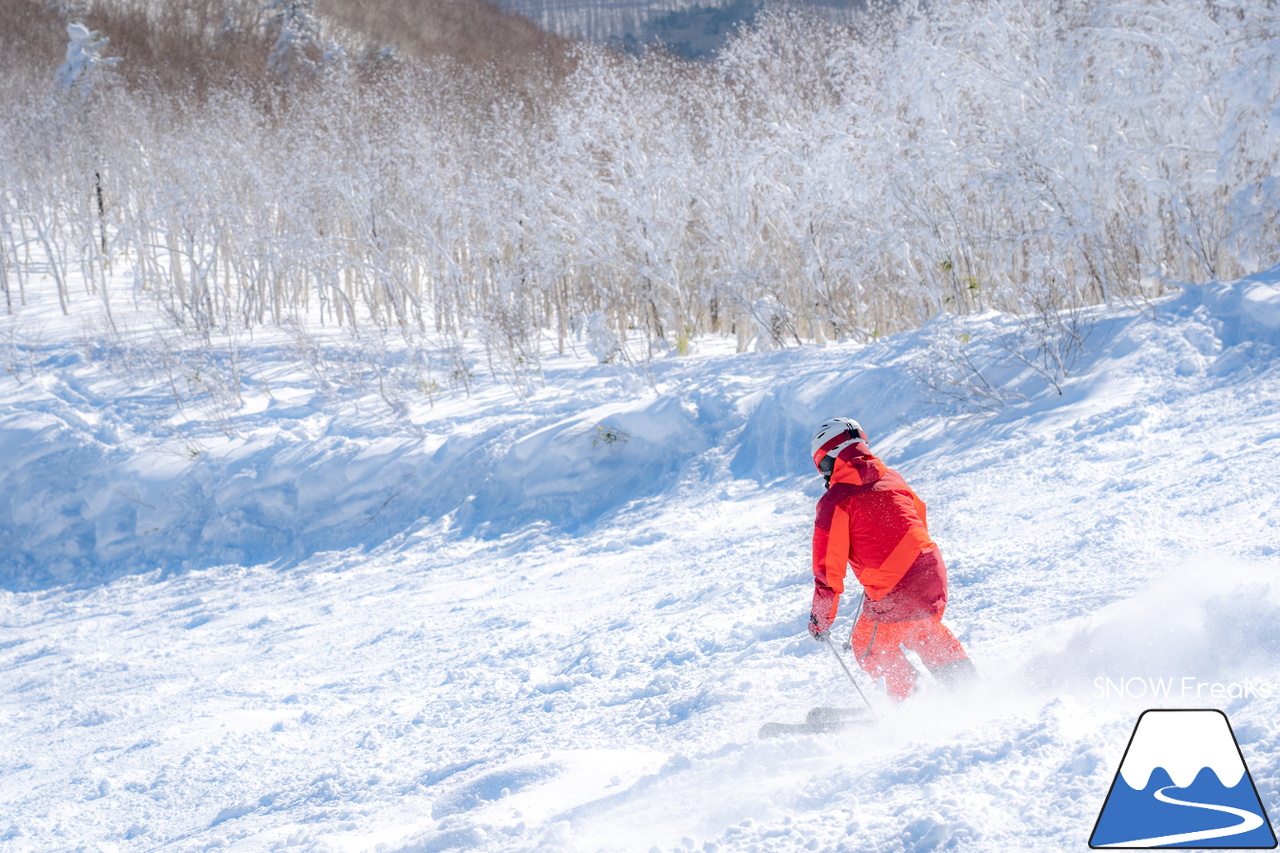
556 622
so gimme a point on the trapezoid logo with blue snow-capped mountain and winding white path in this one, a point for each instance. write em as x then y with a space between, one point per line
1183 783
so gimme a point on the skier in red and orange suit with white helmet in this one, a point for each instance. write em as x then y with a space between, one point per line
871 519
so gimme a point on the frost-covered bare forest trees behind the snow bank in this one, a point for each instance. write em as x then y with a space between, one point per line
813 183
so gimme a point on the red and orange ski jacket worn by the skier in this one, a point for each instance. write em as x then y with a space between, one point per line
871 519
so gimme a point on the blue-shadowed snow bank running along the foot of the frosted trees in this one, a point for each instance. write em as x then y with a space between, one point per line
104 478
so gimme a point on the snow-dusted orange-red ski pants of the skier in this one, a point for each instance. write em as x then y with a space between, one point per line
879 647
